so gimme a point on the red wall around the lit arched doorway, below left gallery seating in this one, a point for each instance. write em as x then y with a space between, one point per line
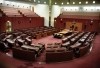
21 22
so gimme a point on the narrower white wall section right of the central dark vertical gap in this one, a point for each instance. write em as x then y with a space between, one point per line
54 13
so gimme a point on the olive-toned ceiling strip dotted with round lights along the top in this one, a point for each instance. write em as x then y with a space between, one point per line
60 2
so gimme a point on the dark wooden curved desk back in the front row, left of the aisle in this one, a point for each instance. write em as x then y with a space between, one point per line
23 54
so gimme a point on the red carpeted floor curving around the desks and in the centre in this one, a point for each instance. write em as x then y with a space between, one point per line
92 60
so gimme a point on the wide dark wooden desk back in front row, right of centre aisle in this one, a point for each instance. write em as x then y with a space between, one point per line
59 56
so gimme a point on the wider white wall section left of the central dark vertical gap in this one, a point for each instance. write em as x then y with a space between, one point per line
43 11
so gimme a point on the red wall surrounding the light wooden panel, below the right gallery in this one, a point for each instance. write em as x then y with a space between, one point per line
94 27
